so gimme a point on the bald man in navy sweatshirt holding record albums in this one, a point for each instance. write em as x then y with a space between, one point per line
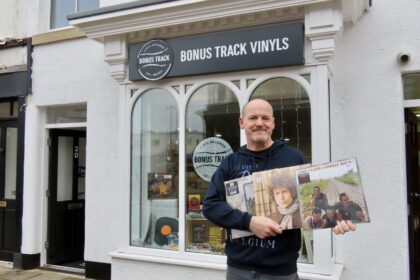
270 253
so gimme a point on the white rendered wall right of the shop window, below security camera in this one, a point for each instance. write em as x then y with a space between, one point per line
368 123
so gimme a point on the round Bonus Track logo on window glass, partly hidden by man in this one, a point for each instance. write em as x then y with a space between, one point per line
207 156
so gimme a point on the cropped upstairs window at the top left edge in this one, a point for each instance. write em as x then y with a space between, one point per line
61 8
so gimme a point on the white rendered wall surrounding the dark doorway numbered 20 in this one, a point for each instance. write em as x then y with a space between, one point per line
74 72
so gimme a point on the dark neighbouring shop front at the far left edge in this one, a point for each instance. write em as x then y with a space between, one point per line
14 86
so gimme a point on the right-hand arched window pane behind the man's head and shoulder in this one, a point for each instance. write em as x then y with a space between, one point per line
292 114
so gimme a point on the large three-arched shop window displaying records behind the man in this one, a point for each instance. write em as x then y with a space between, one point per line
210 115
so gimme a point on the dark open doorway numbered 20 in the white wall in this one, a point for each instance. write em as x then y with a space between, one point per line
66 198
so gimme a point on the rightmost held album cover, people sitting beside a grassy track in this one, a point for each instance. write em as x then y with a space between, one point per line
331 192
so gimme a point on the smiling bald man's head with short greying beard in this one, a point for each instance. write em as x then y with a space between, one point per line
258 123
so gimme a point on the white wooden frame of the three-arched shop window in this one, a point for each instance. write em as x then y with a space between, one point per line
318 92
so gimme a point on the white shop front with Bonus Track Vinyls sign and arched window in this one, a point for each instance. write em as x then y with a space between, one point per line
185 69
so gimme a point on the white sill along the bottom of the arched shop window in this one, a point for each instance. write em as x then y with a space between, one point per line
336 275
